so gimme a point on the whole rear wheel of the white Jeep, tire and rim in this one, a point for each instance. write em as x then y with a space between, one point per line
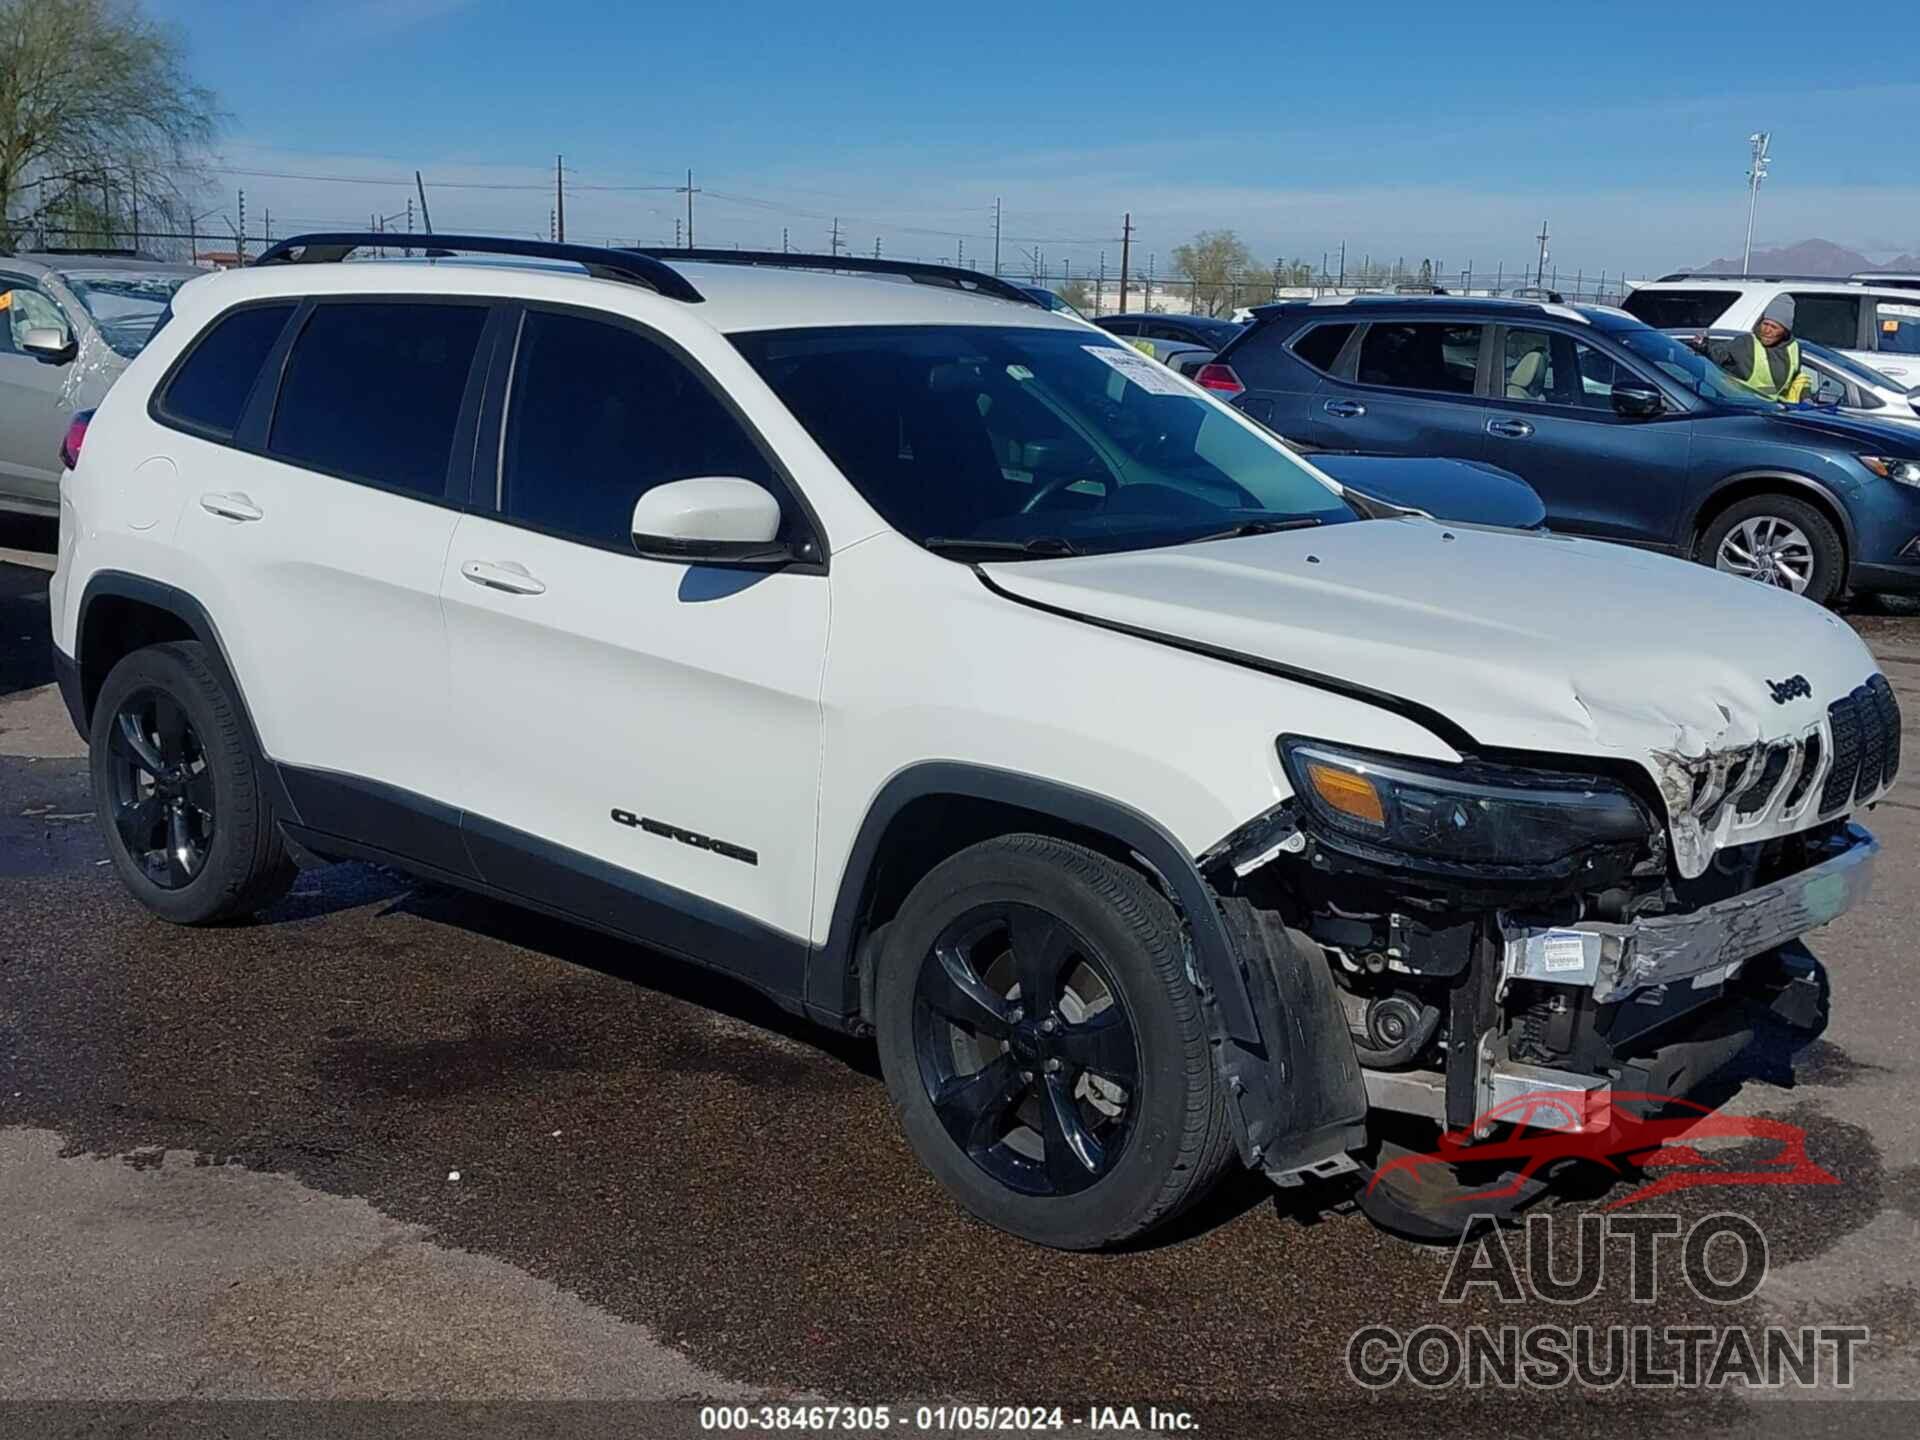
176 777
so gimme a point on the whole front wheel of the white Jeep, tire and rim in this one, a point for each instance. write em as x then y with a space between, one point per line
1147 1149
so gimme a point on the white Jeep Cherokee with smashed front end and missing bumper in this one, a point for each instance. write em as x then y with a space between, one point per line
951 673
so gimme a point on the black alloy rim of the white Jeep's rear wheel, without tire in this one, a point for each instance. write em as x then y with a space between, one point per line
162 788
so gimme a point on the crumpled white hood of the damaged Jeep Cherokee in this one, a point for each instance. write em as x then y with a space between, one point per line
1525 640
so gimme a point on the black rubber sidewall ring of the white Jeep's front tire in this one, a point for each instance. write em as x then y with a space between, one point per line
1115 1203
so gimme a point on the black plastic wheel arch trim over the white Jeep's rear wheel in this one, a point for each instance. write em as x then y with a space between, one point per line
122 613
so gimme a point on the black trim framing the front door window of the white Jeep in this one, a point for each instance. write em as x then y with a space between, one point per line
496 418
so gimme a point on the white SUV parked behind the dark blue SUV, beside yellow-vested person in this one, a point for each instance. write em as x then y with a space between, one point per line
1875 322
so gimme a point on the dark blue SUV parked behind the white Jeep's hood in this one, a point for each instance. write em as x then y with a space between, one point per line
1625 433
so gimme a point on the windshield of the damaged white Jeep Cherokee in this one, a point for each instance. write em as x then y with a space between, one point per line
1030 437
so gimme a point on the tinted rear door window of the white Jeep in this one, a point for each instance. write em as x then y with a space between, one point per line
373 393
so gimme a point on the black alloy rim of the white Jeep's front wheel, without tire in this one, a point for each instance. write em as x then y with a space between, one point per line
1026 1049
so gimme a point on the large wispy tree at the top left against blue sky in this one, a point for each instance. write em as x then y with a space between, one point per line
101 124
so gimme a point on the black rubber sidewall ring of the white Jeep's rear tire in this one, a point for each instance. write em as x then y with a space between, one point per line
162 669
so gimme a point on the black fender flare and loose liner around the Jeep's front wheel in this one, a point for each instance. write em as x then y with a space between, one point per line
1280 1040
